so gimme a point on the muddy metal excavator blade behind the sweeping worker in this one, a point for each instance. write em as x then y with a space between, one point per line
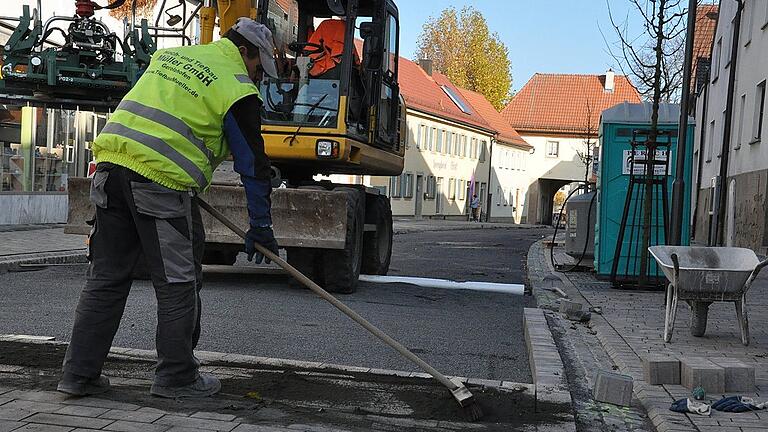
304 218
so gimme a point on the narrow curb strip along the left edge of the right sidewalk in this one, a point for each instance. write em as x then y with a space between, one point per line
655 399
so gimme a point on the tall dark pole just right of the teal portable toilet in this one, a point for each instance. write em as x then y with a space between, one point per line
678 186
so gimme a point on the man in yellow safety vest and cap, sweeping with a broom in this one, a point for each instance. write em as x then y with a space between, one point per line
191 108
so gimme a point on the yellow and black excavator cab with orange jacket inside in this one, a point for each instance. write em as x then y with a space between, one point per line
336 107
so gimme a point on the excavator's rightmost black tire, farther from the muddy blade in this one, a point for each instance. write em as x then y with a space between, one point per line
377 245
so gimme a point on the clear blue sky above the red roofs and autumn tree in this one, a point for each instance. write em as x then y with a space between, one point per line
553 36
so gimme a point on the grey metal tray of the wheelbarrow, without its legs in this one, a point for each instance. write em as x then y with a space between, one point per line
717 273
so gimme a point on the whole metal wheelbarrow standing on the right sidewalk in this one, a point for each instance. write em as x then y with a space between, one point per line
702 275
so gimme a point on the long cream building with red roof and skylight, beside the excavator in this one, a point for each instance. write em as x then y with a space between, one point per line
452 135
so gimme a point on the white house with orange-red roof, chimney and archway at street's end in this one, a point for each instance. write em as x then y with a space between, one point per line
559 114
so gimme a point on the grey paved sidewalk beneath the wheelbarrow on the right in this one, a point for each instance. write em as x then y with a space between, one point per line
630 327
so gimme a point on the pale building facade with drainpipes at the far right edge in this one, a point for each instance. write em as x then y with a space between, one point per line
742 220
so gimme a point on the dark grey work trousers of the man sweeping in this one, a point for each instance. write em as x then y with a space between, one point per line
140 223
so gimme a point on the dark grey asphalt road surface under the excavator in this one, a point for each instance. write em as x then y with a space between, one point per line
465 333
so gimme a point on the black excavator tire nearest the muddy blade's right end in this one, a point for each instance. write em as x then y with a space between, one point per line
342 267
